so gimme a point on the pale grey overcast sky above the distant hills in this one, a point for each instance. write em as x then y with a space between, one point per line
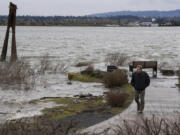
84 7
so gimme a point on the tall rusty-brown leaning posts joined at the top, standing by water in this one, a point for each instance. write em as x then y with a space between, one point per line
11 24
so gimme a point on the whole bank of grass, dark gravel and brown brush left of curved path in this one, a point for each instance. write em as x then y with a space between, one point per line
69 114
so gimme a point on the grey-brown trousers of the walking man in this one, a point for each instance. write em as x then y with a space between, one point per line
139 98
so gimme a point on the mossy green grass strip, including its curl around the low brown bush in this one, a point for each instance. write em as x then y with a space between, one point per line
73 106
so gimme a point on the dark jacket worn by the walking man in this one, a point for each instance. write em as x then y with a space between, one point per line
140 80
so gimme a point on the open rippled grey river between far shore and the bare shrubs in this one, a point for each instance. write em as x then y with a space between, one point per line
93 43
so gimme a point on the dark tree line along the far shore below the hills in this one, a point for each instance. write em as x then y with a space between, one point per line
86 20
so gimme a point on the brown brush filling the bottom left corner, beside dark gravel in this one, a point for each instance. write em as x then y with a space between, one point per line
36 126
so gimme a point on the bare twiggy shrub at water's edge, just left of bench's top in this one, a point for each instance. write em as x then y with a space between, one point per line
116 59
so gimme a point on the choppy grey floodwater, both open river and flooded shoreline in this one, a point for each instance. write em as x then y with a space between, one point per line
71 45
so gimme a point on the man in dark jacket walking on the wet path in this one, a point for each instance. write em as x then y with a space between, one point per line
140 80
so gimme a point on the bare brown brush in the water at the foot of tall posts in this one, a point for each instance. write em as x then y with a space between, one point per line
19 72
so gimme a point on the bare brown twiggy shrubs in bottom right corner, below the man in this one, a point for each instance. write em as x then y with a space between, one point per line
150 126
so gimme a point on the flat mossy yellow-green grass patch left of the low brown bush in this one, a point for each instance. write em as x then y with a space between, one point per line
71 106
